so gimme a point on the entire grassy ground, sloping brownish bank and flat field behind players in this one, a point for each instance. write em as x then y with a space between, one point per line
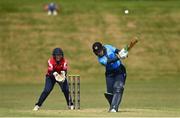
28 35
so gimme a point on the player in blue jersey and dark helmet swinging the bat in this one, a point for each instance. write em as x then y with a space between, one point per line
110 57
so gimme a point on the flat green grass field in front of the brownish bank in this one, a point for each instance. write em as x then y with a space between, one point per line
151 97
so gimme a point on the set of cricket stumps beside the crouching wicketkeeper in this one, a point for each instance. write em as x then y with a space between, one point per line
74 90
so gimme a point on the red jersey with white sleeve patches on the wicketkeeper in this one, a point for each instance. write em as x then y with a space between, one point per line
54 66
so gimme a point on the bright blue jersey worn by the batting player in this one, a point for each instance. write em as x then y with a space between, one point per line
109 55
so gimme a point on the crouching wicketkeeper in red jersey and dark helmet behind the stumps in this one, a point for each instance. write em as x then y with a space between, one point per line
56 73
